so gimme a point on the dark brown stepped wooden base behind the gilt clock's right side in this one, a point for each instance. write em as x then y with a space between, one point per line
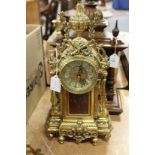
115 107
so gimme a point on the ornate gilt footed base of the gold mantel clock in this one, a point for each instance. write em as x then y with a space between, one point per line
79 129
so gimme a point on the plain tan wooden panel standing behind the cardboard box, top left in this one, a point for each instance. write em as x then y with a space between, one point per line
32 12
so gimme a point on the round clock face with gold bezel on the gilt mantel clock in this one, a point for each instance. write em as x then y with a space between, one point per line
78 76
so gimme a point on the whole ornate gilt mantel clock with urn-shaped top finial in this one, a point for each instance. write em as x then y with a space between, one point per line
79 110
